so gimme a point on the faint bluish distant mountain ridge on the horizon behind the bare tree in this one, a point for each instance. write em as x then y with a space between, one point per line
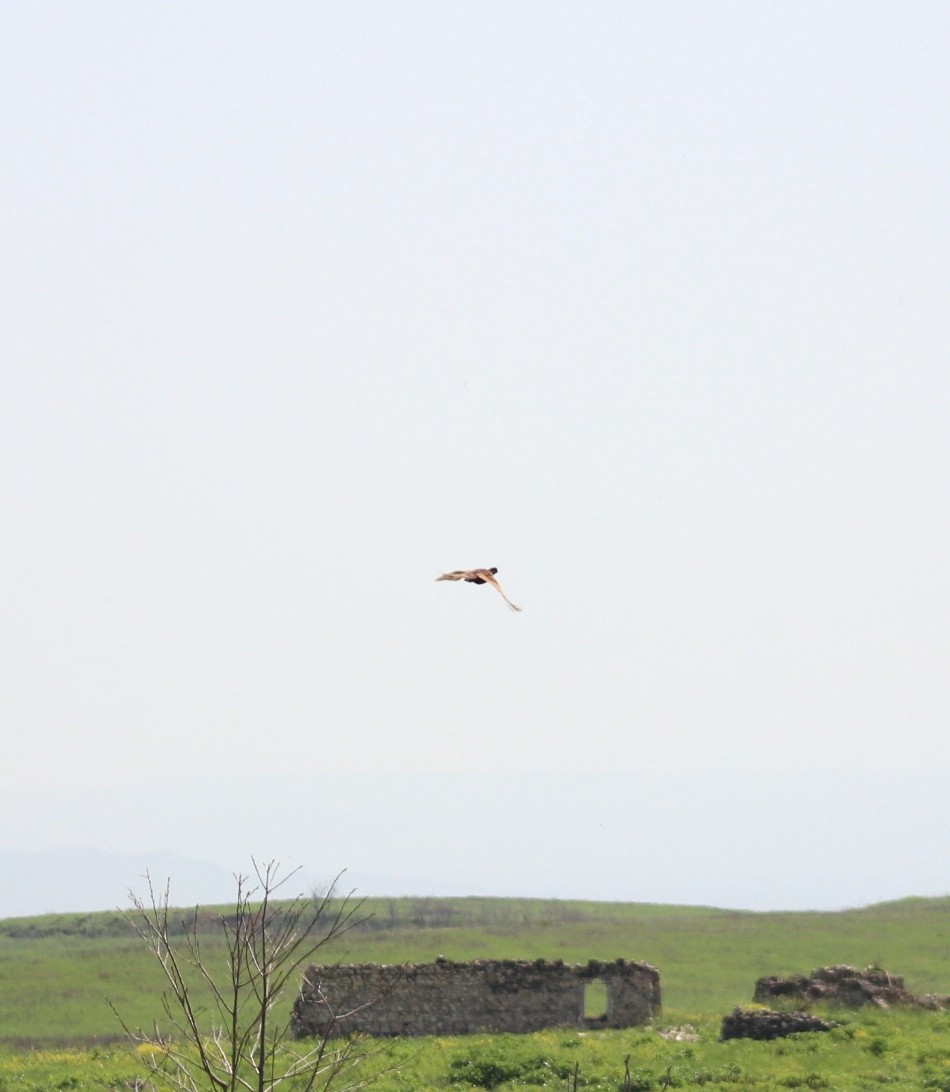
78 881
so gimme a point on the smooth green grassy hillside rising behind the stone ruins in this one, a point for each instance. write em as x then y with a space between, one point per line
60 974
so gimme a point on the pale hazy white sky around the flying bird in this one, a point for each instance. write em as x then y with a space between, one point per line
645 304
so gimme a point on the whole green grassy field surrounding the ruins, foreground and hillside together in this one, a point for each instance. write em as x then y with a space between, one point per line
60 976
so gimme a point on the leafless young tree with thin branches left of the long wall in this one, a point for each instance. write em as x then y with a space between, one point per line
237 1043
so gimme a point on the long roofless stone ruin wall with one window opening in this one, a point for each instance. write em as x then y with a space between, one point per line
447 999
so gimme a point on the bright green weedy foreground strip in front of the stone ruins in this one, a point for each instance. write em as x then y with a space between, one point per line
872 1050
